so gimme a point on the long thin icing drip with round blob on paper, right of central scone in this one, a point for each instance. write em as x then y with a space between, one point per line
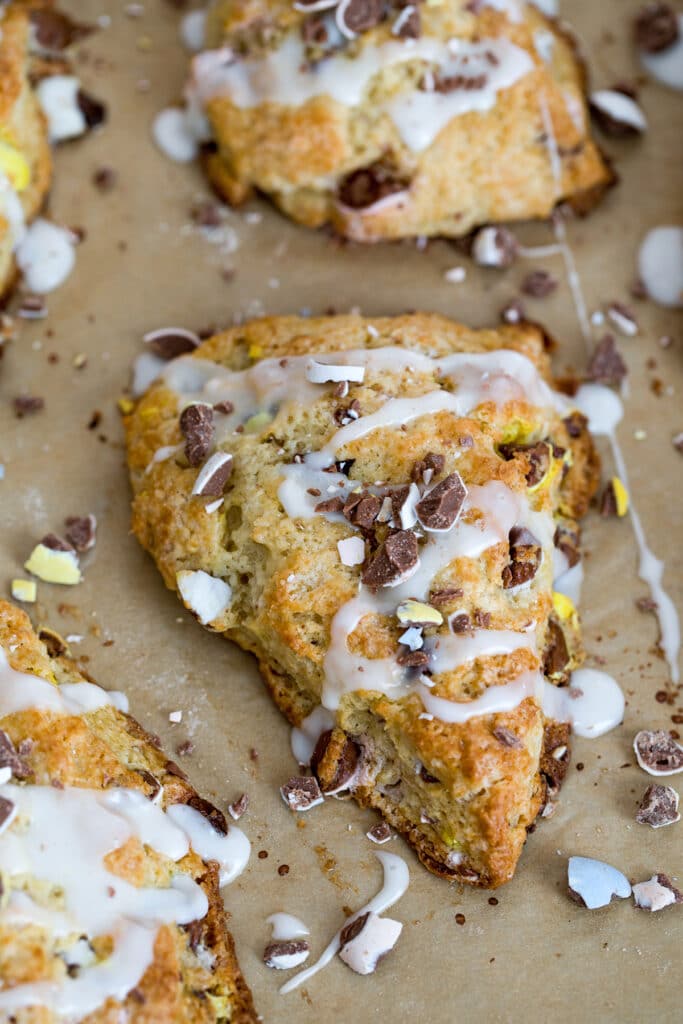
605 411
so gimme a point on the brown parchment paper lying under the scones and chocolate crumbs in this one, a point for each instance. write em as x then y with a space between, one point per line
534 956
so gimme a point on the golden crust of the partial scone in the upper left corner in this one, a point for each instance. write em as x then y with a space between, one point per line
26 163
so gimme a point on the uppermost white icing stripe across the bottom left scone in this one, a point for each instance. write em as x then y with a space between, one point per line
21 692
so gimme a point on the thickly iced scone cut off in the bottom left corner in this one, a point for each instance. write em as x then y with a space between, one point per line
111 864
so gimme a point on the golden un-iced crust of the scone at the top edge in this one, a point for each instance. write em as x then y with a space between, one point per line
484 167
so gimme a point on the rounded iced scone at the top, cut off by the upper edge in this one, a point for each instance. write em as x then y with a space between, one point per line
390 120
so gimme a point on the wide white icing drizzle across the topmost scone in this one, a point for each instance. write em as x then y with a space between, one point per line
284 77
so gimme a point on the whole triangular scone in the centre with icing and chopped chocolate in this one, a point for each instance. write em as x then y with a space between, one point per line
324 488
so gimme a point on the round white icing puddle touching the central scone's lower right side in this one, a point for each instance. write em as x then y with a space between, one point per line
593 704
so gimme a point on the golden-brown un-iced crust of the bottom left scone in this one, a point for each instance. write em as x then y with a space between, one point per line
195 976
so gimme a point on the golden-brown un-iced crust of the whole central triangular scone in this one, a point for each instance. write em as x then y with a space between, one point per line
288 582
